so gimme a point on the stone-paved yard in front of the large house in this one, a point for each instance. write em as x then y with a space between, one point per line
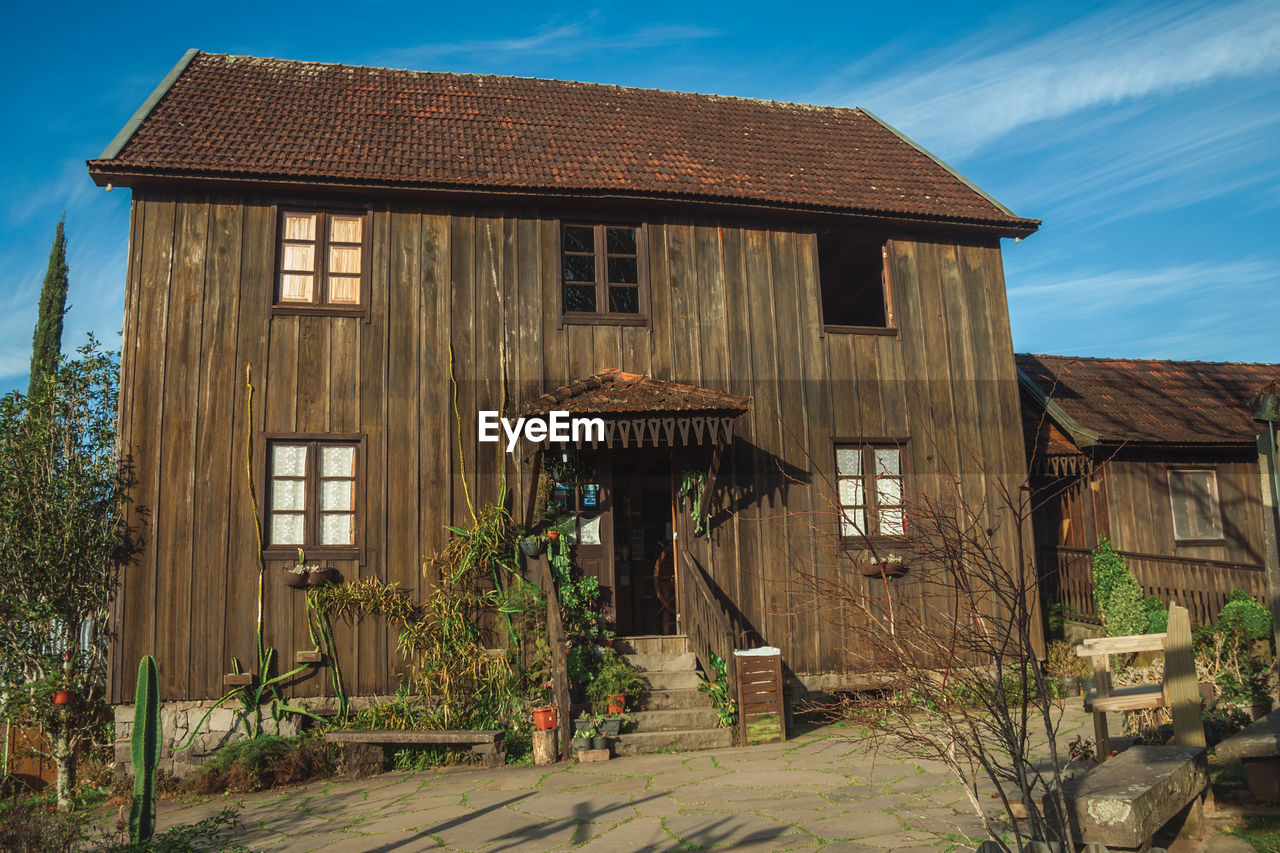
815 792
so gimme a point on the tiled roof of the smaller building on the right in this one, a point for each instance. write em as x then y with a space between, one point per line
1149 403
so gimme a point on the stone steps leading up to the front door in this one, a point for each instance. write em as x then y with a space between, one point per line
674 714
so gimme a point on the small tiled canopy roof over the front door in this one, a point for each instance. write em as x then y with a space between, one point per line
616 393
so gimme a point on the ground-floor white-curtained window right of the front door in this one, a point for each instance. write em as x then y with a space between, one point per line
870 487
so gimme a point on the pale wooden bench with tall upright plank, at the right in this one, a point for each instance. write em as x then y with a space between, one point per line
1178 691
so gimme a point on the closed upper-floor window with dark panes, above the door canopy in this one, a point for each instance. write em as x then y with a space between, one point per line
604 273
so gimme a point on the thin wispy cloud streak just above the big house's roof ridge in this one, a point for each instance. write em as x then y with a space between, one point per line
551 40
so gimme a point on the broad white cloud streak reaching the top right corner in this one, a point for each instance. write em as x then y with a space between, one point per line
968 95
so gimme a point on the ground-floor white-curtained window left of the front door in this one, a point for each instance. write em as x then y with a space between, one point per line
313 501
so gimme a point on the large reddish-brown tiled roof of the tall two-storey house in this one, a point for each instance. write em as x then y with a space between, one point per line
282 121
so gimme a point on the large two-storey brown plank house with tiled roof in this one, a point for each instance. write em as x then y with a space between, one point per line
780 295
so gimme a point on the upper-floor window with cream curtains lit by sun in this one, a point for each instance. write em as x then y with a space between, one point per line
322 259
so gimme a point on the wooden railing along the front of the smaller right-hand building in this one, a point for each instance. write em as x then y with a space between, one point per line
1200 586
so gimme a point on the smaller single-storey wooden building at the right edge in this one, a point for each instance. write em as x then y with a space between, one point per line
1162 458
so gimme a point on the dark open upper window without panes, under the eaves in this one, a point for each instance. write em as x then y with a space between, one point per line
853 272
